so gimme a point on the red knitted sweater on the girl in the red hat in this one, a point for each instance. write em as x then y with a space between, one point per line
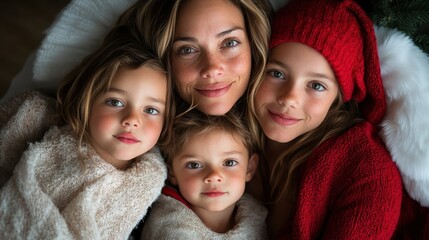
349 189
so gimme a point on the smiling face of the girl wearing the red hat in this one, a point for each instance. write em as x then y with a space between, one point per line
297 92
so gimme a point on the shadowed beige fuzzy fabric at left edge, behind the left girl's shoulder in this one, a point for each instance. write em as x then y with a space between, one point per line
23 119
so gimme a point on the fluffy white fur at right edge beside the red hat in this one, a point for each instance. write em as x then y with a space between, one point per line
405 128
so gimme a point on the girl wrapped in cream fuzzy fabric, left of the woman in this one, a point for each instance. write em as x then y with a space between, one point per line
95 177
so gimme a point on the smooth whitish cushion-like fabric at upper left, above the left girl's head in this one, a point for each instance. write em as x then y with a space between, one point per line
77 31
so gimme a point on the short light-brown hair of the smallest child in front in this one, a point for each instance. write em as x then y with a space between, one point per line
194 122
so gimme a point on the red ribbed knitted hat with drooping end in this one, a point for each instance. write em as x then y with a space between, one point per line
344 35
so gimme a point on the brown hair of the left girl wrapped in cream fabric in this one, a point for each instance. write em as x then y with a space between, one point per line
120 49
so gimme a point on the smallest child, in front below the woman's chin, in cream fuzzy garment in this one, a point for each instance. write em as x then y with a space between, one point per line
210 160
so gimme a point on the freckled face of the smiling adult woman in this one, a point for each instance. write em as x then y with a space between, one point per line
211 55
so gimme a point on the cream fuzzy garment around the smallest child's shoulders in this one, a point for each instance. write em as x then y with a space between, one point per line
171 219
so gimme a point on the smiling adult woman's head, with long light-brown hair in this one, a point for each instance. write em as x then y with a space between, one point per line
216 48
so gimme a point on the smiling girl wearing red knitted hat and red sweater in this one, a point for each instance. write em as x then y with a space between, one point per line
326 174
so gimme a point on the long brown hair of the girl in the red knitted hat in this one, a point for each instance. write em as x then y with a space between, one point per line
340 117
